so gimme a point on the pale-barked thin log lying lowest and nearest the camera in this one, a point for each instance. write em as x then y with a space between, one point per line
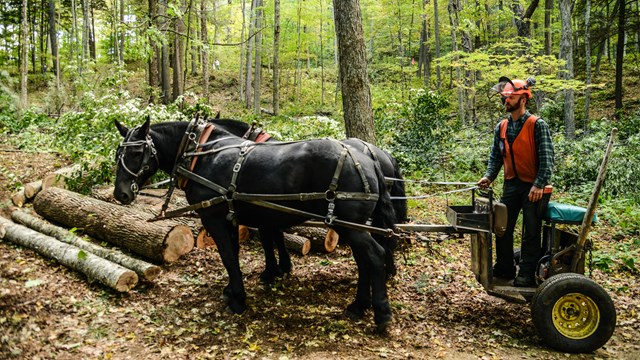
94 267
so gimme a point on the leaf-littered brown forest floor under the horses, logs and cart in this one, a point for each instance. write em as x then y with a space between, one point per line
440 311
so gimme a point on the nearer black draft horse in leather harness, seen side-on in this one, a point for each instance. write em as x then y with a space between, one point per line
305 167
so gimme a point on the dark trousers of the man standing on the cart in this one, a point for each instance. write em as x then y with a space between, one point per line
516 197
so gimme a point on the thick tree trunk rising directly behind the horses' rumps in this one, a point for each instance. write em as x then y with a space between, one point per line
356 95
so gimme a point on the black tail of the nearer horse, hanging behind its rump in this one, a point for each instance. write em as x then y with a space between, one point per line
384 216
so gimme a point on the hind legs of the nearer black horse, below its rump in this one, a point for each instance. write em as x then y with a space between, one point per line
371 273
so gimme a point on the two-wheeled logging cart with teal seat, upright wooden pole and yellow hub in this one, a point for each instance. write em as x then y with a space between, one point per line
571 312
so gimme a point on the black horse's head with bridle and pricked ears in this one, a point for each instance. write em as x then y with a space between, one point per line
136 160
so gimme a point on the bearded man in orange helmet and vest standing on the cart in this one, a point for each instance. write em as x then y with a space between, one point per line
523 144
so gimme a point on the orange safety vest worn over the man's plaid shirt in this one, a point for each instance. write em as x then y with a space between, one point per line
520 158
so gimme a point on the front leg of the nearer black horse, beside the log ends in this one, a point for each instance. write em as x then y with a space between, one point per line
226 237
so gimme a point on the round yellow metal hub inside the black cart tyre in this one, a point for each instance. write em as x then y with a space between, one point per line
575 316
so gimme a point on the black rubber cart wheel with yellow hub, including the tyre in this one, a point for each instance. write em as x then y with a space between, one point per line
573 314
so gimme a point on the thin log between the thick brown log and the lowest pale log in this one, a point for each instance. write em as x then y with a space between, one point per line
142 268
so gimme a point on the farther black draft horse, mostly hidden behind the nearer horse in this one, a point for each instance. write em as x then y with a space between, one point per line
390 170
